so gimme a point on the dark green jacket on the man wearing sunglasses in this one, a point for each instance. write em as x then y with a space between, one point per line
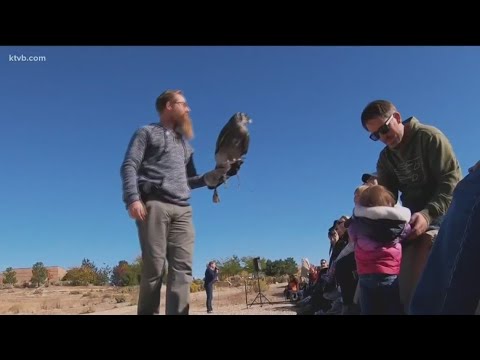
424 169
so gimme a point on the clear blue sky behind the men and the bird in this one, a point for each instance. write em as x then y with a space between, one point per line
66 123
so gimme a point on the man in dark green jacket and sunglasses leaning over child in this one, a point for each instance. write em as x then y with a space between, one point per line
418 161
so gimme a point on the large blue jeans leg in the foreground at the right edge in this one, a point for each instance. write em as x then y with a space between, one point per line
449 283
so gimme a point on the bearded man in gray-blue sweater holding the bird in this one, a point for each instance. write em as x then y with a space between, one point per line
158 174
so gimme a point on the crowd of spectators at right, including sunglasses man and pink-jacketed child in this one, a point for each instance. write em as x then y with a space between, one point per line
416 253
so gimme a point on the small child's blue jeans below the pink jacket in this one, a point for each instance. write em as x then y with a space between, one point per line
379 295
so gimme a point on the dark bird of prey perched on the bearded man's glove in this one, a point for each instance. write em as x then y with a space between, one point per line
232 145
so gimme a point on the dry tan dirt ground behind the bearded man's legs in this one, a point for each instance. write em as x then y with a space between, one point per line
103 300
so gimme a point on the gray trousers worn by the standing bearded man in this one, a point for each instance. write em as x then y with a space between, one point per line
166 234
